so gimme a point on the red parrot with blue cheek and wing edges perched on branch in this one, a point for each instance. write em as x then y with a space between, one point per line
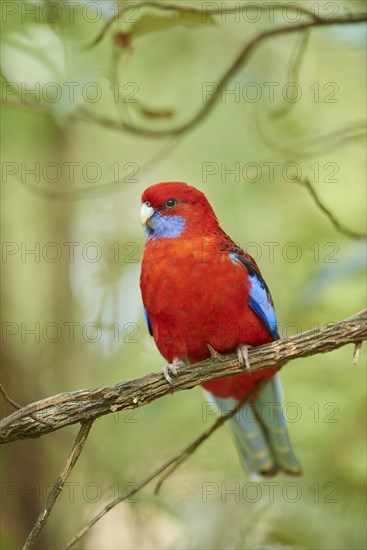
199 288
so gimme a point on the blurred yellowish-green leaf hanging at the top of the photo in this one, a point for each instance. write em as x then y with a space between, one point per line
152 23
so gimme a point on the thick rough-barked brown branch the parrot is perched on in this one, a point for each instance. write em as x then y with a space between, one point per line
87 405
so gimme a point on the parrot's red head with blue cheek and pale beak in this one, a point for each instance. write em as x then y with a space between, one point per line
175 209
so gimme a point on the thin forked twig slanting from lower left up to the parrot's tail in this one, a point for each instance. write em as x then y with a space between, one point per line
166 469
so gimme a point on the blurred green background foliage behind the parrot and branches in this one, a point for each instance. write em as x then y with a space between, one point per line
86 189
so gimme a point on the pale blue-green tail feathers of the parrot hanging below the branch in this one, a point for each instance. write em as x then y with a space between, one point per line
260 432
